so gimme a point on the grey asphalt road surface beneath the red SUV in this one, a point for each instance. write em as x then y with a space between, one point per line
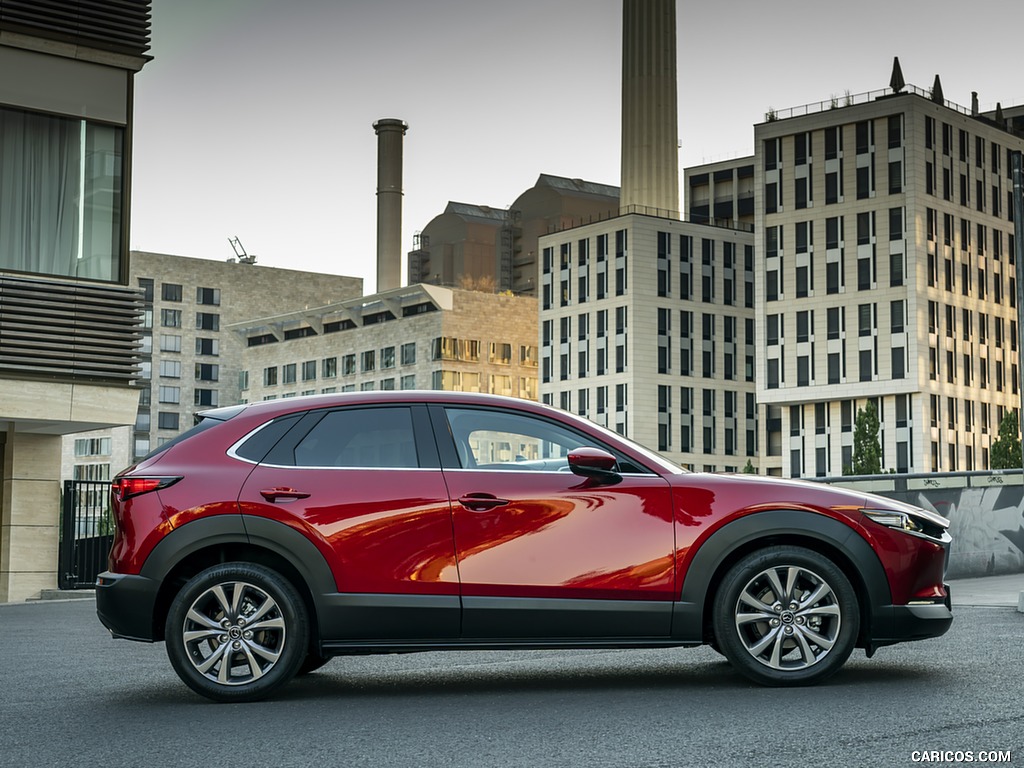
72 697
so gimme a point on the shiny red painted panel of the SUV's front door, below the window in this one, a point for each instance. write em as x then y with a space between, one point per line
564 536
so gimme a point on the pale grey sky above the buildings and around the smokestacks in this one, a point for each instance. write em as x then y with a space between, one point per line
254 118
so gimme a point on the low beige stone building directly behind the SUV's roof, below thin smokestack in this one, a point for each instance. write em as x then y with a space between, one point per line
418 337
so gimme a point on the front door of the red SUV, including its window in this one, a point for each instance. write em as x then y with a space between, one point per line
543 552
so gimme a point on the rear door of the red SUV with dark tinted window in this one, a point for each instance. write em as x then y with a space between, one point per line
364 484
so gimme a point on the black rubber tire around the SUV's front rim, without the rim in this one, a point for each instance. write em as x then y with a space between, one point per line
737 580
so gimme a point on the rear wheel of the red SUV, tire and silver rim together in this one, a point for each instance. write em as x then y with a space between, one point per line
245 615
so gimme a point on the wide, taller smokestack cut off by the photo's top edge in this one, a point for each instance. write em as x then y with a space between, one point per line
651 144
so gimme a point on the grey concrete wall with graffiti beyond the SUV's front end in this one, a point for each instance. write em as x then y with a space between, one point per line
986 510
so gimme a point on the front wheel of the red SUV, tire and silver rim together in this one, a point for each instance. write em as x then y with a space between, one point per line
800 639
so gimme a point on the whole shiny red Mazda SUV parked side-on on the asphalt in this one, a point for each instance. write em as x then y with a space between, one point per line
275 536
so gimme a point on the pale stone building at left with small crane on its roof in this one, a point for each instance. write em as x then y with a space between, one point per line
190 361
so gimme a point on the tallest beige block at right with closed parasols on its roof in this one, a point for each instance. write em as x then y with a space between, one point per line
885 255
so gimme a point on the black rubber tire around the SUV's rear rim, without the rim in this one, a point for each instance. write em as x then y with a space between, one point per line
296 631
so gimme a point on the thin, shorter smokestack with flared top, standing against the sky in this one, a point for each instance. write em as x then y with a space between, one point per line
390 141
